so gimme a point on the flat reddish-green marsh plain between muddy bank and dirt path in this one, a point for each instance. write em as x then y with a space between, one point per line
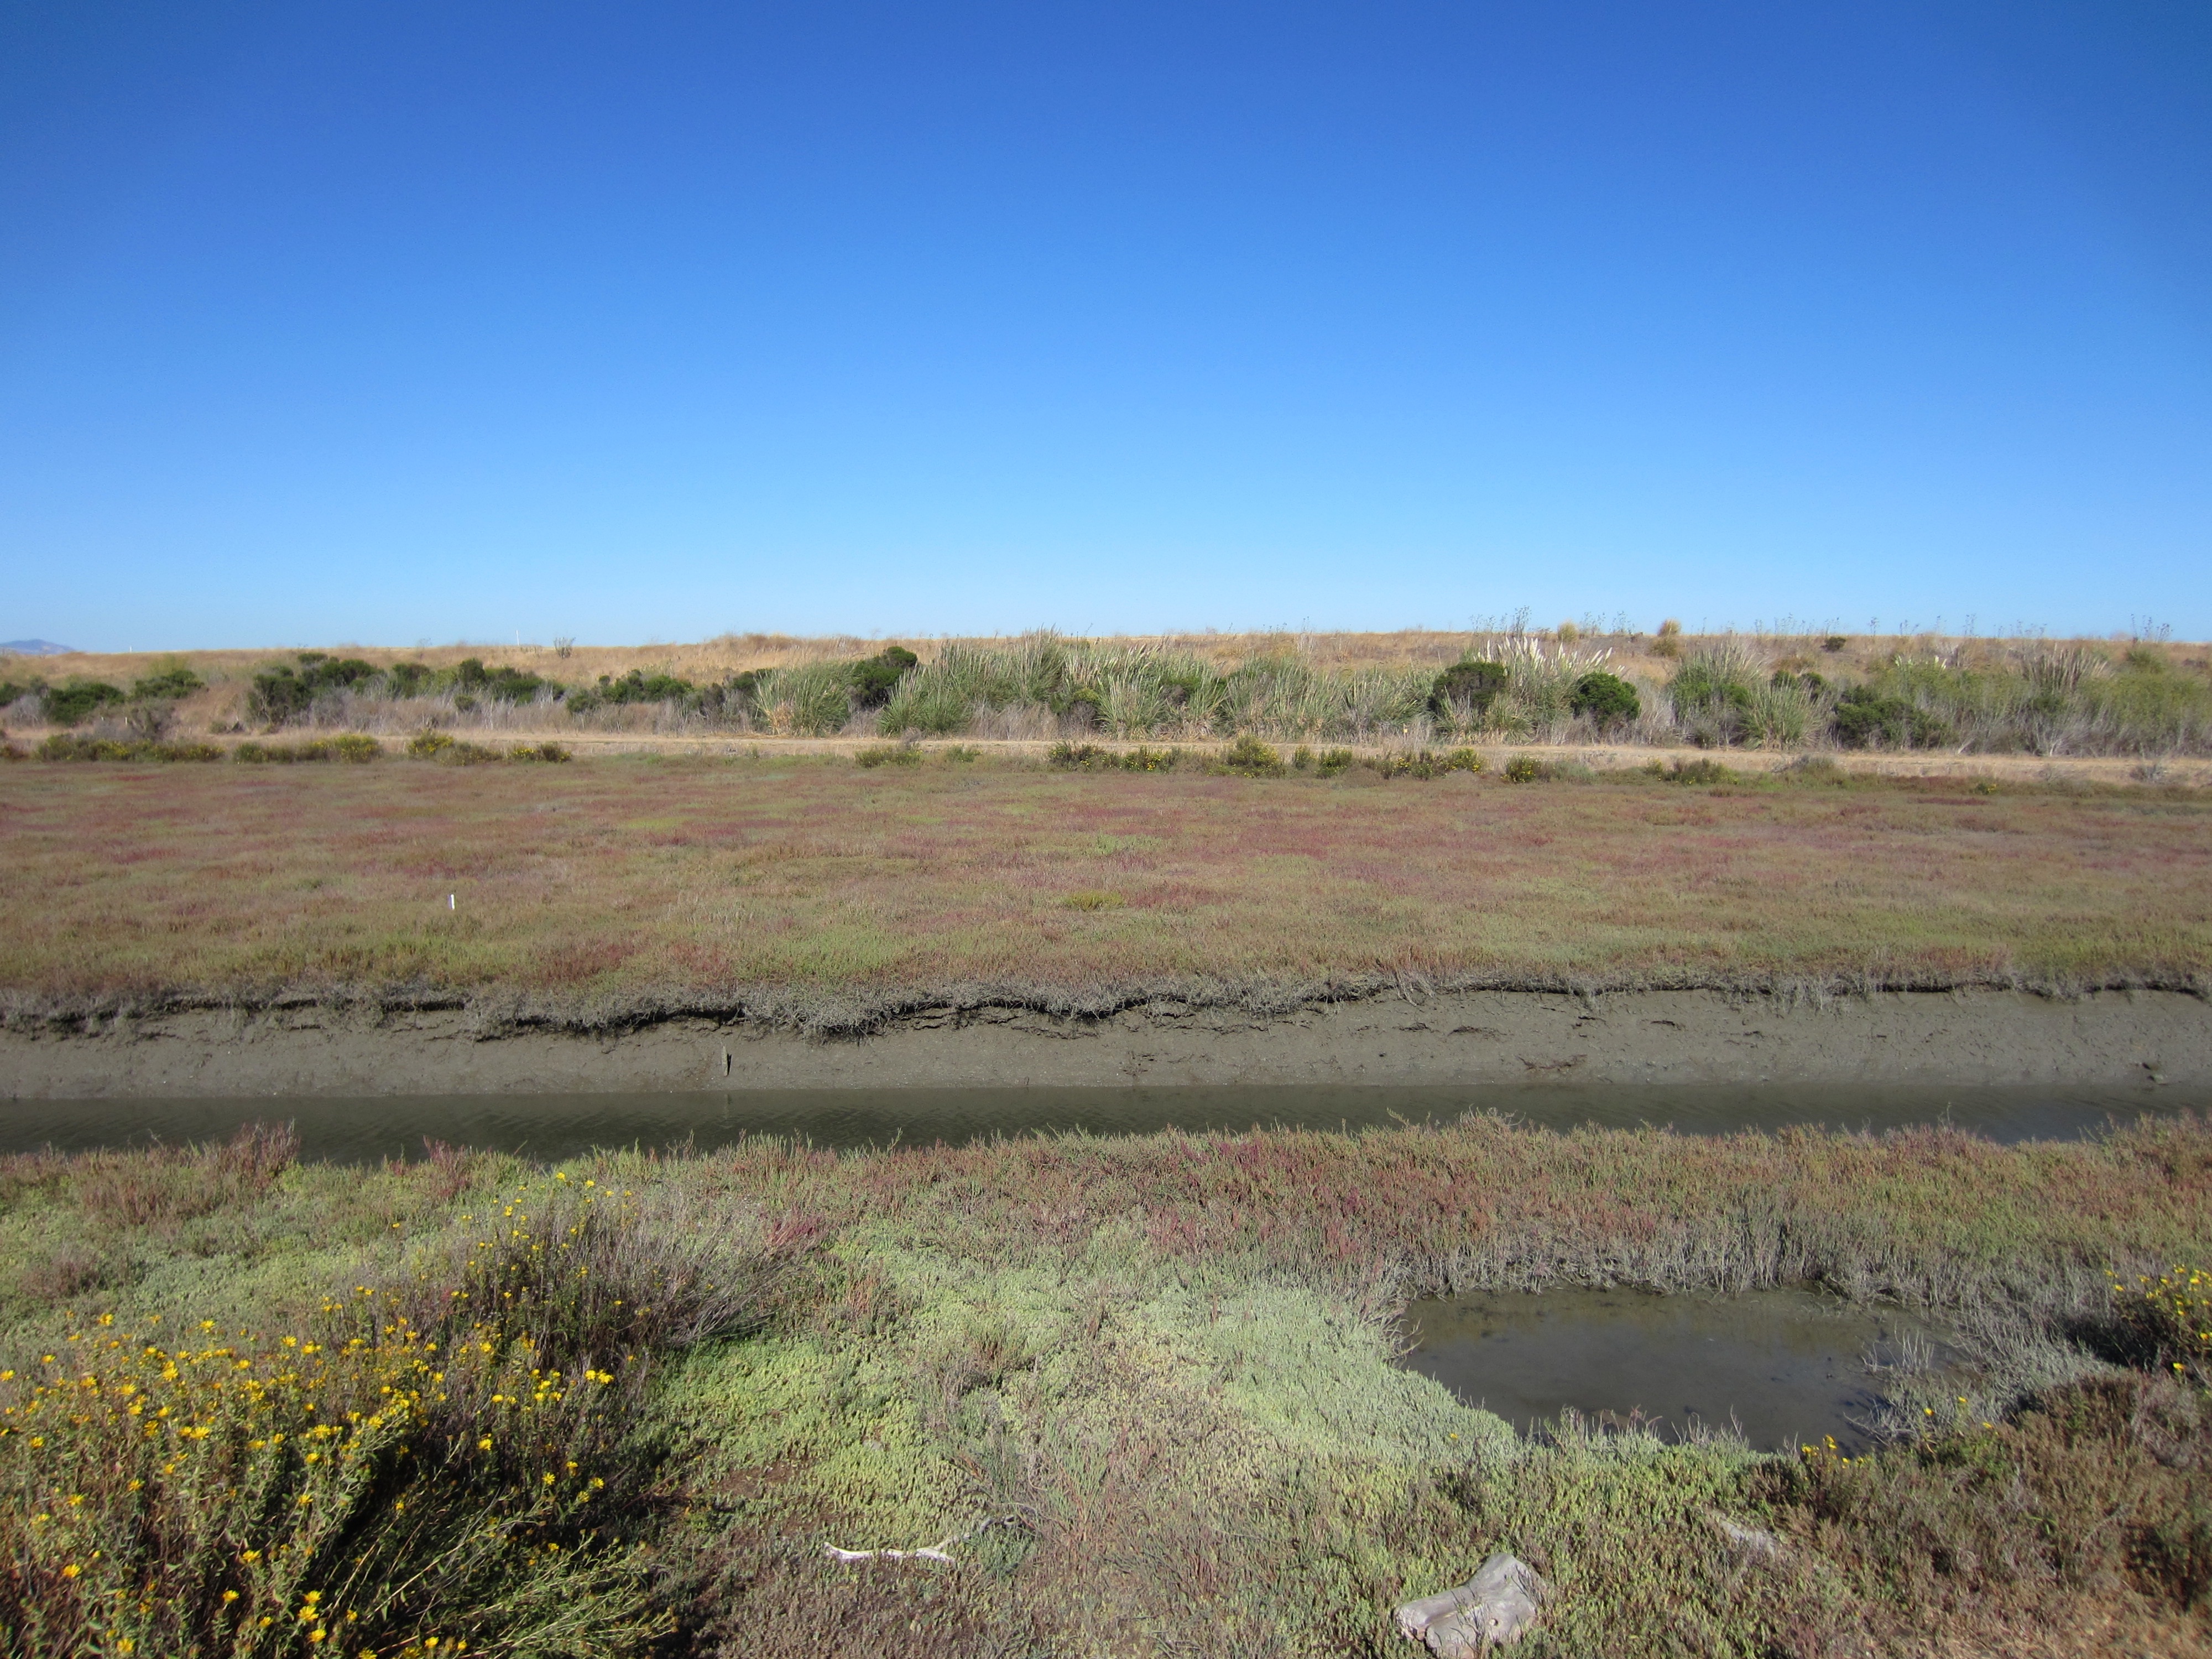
811 884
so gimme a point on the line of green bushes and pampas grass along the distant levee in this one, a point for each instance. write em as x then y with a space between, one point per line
2023 698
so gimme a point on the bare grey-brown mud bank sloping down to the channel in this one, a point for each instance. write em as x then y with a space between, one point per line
1452 1039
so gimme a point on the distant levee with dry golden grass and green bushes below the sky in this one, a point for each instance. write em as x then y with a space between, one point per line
1771 691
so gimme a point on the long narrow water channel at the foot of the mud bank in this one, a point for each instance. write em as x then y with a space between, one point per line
554 1127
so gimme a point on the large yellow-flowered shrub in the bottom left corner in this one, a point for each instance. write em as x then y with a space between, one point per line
432 1468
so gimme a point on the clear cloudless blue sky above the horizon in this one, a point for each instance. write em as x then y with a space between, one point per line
640 322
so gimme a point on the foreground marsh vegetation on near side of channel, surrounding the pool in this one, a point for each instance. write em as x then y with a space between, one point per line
1142 1386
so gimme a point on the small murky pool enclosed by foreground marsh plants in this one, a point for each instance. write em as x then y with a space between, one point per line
1784 1368
